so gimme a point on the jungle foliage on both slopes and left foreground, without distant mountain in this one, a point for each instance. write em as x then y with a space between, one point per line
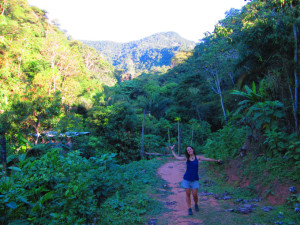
235 95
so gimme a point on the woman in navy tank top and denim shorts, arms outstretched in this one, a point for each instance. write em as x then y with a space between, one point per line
191 178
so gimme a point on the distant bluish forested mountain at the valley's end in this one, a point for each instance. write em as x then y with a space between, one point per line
145 55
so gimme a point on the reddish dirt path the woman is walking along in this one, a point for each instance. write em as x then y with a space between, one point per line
211 212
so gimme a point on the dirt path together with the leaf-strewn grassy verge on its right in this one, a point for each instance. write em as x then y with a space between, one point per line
219 204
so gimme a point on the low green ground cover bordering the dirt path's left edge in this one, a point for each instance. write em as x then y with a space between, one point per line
131 201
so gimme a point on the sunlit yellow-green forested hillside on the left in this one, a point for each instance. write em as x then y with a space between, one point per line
37 56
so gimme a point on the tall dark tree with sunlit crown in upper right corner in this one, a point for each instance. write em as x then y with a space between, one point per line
269 48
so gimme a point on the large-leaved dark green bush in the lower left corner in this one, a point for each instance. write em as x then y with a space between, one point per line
55 189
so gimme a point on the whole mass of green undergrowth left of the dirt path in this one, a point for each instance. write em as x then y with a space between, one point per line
67 188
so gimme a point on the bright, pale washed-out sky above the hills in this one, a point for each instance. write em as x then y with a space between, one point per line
128 20
